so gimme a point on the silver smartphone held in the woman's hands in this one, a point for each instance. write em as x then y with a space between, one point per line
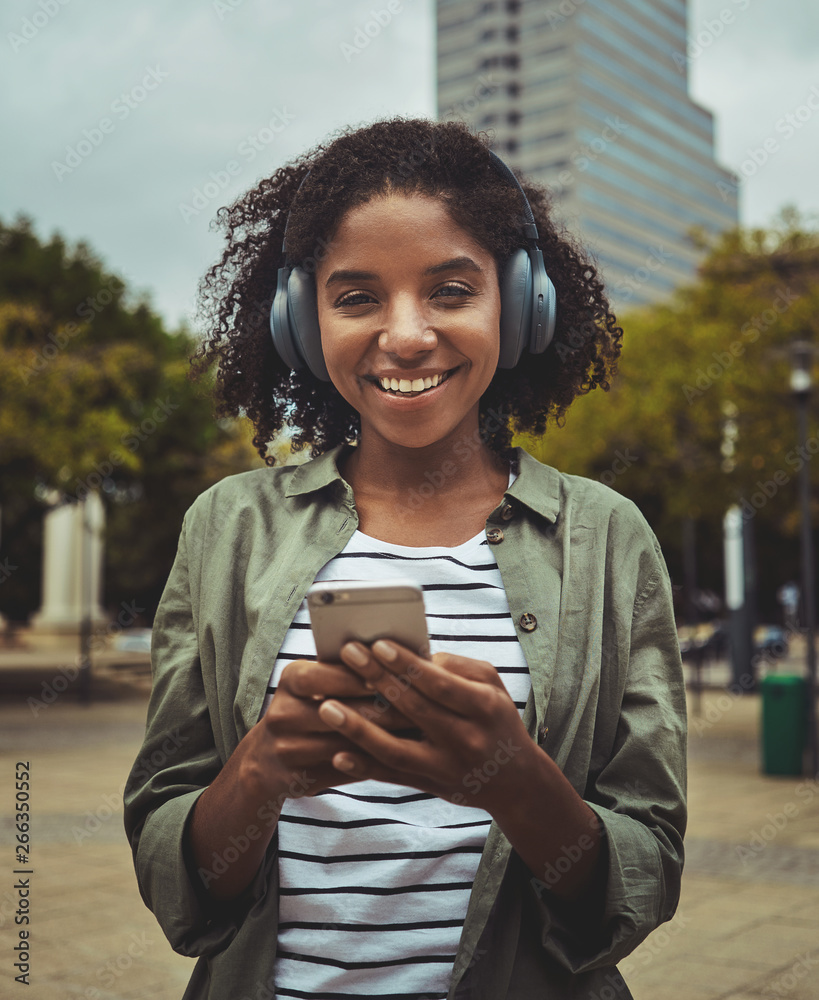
365 610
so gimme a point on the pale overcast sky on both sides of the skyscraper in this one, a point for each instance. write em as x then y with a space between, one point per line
170 93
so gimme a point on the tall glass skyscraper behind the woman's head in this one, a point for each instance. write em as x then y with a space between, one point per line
590 97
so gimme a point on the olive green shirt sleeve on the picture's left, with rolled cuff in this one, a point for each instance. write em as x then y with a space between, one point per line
178 760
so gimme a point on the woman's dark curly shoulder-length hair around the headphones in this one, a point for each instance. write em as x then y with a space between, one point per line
410 156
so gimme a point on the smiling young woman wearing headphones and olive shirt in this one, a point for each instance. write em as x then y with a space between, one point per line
285 825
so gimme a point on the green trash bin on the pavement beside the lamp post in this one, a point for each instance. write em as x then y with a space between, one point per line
784 709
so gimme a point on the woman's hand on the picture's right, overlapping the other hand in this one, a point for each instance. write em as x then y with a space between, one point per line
471 728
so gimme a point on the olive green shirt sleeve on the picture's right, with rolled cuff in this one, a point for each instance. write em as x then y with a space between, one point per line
639 797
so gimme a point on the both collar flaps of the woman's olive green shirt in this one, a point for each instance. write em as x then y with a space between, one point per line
537 485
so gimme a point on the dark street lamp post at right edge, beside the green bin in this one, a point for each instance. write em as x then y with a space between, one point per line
801 385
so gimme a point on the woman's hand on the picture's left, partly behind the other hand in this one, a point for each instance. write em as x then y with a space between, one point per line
290 749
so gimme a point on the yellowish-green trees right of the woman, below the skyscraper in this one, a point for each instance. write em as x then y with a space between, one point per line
718 353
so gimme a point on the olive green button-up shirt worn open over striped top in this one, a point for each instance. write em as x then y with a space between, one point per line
589 592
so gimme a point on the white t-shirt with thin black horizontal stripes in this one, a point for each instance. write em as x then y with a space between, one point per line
375 878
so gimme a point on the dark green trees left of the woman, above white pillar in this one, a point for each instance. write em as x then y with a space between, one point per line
96 396
